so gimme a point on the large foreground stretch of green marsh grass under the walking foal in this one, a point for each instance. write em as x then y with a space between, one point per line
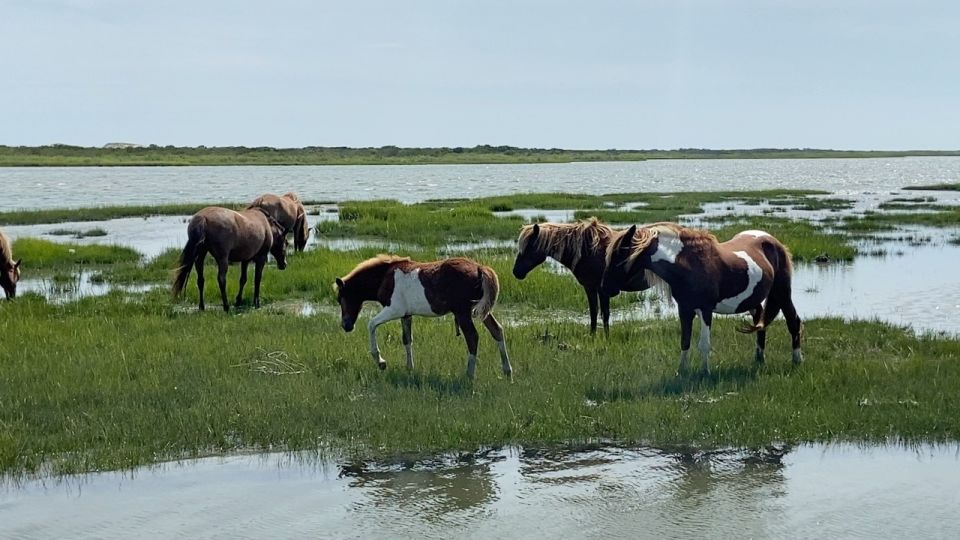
118 384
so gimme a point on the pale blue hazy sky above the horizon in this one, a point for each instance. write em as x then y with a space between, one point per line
587 74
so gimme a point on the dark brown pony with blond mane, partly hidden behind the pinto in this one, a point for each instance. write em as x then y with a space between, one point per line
582 248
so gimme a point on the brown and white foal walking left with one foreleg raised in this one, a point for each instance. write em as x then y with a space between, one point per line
406 288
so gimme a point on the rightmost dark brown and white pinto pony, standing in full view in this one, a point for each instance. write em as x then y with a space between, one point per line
749 273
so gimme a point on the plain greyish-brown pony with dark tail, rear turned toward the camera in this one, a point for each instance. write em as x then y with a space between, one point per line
230 237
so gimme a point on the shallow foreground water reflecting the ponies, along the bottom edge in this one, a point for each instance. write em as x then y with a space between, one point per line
809 491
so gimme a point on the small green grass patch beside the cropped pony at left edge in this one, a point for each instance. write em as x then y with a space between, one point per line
39 254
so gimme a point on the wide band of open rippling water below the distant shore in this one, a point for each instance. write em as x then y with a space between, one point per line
77 186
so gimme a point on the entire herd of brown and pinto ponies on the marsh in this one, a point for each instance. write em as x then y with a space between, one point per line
750 273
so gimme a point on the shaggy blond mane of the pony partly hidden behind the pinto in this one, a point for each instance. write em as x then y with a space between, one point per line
566 239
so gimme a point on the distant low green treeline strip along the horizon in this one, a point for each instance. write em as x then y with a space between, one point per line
66 155
